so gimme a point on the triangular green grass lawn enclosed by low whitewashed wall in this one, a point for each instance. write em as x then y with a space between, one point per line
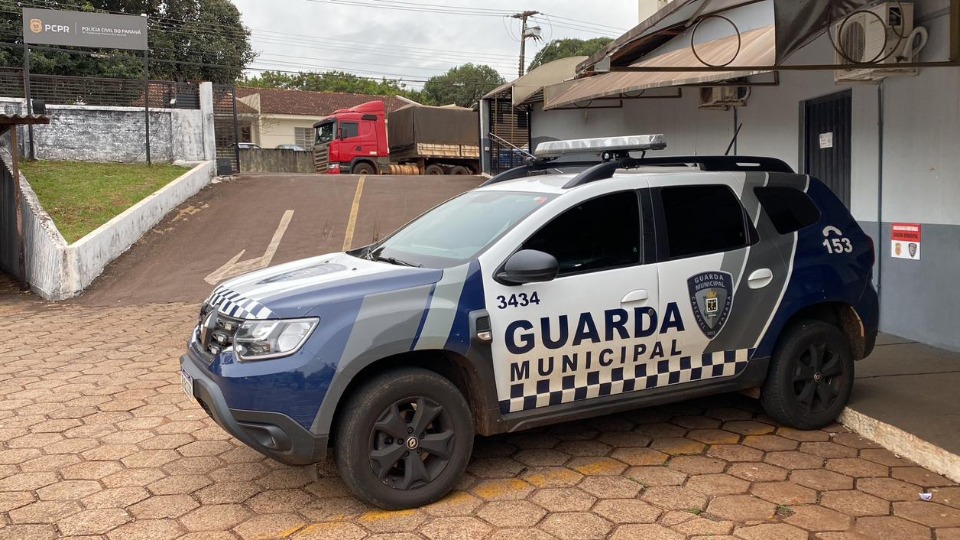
83 196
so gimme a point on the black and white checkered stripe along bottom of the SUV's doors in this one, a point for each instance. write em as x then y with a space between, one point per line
532 394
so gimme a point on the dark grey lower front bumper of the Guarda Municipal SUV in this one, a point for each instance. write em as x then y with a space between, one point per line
275 435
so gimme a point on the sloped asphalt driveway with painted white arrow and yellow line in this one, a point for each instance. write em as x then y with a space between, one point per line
270 219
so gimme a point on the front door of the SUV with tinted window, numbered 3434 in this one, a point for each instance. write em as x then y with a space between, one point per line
591 331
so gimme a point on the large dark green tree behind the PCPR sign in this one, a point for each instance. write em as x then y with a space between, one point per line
189 40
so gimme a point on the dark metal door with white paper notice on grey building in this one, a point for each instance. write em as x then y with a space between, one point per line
827 155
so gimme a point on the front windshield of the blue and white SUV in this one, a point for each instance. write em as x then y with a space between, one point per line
457 230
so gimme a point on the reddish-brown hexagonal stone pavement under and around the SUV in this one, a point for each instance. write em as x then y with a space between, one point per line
98 441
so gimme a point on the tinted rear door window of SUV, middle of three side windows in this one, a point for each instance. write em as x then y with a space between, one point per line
703 219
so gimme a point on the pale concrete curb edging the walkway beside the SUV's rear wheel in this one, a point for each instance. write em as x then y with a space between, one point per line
903 444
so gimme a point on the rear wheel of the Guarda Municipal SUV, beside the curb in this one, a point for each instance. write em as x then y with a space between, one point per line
810 377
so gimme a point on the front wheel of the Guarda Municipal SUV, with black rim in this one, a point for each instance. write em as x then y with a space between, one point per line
374 449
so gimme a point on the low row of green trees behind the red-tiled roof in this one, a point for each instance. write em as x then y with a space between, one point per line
331 81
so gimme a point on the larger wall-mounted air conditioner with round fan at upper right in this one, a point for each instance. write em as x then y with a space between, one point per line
882 35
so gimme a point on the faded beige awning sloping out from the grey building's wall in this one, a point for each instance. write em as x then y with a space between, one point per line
756 48
